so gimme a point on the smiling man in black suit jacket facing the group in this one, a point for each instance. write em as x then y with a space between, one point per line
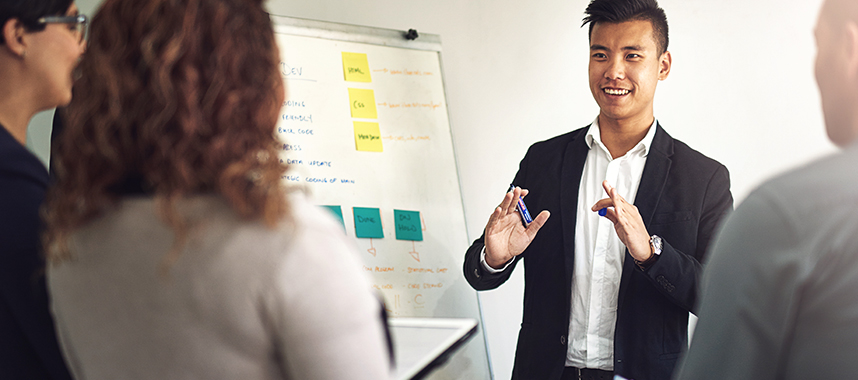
660 239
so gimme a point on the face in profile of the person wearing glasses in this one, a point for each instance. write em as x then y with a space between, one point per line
54 54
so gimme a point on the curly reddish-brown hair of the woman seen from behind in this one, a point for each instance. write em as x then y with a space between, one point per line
175 98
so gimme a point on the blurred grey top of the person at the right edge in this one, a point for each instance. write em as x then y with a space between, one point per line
780 291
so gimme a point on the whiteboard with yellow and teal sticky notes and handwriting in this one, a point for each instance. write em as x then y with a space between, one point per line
416 265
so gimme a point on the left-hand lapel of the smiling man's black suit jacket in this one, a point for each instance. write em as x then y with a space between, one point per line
570 178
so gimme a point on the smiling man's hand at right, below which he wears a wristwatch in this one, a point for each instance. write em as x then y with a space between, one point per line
627 222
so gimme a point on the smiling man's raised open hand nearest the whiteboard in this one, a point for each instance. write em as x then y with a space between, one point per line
506 236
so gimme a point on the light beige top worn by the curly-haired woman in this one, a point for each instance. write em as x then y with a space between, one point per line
242 302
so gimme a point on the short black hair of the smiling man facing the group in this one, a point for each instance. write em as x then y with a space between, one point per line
617 11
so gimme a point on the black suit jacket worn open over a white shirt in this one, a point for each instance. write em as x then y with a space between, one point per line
682 197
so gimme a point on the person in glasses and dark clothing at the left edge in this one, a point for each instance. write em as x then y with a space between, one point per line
40 43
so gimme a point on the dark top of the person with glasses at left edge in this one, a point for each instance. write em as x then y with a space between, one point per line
28 342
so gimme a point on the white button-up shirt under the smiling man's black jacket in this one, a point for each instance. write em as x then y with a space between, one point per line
599 253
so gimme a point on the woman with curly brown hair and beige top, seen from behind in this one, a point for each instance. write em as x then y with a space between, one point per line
175 252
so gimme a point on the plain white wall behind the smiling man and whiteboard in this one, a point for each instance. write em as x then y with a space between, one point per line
741 91
